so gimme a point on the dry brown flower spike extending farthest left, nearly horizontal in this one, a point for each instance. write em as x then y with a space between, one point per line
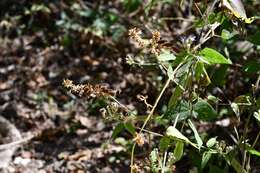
88 90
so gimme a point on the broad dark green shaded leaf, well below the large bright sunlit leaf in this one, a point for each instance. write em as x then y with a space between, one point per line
205 111
